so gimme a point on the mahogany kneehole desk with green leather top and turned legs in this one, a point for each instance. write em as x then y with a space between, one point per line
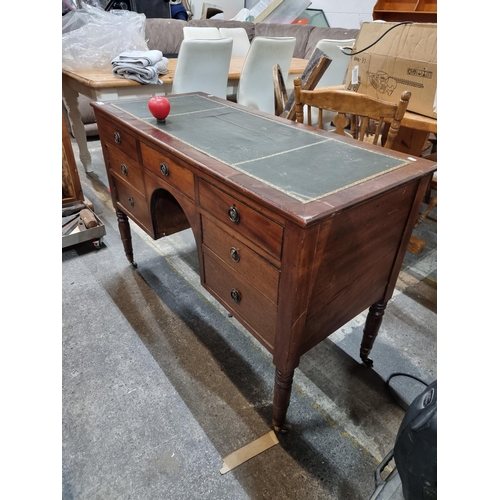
298 230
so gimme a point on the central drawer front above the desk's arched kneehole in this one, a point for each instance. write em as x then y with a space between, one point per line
169 170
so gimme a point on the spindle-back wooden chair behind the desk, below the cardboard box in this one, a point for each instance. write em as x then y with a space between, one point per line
364 115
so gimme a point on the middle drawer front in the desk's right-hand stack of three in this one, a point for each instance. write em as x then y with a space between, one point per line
241 259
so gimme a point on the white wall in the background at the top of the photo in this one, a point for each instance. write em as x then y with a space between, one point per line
340 13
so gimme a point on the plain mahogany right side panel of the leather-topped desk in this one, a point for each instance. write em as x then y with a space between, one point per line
354 260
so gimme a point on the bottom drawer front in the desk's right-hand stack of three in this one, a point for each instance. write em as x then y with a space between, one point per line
248 305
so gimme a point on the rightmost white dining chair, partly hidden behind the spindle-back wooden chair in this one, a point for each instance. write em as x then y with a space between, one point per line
335 73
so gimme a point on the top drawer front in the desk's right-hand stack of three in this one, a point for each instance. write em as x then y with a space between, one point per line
236 215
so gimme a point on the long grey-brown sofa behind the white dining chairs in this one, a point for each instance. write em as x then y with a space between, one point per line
166 35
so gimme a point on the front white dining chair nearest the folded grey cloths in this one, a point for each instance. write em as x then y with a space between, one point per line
203 66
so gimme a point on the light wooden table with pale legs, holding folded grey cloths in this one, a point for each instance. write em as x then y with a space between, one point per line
103 86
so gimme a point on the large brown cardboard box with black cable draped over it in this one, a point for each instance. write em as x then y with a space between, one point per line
405 58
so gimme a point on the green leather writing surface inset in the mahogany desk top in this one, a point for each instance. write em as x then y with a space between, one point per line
304 165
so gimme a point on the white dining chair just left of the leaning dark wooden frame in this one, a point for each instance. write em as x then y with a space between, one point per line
256 86
